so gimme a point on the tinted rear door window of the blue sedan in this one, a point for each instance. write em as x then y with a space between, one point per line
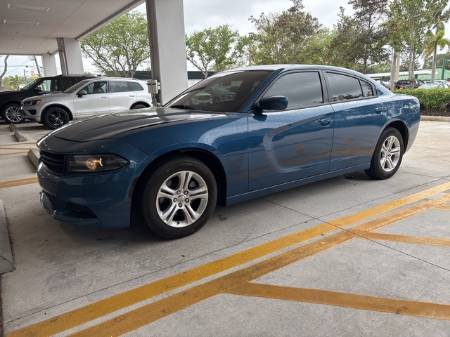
343 87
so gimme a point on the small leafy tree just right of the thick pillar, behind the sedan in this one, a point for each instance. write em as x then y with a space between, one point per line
216 49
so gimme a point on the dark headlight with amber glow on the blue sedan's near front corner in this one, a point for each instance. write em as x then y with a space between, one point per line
95 163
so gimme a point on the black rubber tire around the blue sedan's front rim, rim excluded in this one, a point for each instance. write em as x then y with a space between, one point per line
149 212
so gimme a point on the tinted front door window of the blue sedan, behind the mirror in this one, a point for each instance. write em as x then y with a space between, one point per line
302 89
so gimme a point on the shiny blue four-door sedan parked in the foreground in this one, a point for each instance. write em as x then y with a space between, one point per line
237 135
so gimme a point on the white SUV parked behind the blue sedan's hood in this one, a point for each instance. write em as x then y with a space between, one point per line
87 98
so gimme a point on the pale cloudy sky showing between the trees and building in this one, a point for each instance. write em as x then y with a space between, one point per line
200 14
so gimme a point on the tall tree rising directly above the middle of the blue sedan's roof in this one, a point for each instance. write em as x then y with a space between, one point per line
282 38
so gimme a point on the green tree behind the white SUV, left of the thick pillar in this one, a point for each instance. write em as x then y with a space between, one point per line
120 47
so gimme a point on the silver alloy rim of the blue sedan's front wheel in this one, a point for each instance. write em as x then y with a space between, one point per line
182 199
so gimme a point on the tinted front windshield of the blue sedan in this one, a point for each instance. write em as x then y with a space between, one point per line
225 92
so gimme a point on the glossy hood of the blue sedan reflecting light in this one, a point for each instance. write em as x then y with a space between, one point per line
109 126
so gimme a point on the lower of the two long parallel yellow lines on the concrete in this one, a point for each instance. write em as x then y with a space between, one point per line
147 314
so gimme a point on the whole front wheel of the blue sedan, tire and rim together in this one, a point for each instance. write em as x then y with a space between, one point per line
167 210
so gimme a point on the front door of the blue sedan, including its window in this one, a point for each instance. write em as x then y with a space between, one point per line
295 143
